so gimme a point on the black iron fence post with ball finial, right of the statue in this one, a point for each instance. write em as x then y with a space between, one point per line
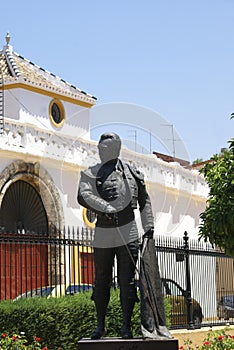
188 283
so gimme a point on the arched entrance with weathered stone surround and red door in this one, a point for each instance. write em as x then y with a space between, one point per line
29 206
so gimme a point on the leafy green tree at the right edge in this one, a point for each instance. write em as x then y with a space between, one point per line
217 224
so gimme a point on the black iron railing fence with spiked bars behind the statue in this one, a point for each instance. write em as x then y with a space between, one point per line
197 279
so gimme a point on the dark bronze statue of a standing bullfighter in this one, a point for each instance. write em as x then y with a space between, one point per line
113 189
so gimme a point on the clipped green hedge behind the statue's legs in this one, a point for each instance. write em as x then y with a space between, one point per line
61 322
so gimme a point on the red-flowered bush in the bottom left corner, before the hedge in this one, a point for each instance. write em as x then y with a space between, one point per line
18 342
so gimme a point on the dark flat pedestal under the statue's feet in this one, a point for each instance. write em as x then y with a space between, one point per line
128 344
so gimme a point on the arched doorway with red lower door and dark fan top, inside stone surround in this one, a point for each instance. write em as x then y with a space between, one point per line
23 254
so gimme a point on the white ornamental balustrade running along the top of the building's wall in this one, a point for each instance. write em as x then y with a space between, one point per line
74 152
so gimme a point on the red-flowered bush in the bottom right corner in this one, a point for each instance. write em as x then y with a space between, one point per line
215 340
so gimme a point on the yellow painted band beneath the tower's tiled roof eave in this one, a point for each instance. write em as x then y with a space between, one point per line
46 93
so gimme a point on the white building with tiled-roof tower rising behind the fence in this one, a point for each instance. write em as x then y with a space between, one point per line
44 144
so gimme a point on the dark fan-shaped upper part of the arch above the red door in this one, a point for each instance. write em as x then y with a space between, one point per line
22 210
